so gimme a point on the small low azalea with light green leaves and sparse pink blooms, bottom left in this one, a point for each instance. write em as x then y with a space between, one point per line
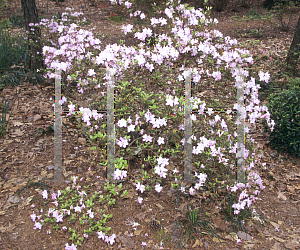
65 202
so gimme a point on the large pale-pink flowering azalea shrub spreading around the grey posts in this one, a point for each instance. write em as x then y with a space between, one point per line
78 53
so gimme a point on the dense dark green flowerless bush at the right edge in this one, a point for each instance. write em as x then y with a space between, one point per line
285 111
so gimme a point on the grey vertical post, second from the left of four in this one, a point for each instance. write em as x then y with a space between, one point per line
110 124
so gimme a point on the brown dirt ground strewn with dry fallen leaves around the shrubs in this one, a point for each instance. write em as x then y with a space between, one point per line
24 156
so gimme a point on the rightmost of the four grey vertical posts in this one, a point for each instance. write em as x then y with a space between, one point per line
240 127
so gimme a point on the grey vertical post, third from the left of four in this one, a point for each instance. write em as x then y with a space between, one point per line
187 129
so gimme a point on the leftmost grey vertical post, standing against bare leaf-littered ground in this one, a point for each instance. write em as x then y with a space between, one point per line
57 130
